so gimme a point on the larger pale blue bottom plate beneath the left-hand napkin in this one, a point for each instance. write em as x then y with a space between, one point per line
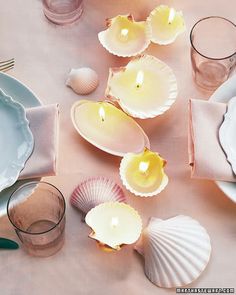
27 98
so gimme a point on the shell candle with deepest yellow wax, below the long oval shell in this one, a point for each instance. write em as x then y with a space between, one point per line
143 174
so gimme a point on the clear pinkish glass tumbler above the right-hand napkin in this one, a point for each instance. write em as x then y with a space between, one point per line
213 51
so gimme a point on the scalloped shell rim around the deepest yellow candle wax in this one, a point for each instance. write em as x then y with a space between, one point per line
125 162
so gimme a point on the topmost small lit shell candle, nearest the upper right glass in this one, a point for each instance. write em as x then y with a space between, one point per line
163 31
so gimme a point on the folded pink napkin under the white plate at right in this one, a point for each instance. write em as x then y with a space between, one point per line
206 156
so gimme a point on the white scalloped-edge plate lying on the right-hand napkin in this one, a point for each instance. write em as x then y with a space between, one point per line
227 133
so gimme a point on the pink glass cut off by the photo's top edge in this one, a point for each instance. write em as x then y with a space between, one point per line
62 12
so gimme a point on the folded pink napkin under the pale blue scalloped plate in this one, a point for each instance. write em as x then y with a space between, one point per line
44 126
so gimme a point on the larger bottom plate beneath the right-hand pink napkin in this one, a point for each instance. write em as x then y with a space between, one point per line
223 94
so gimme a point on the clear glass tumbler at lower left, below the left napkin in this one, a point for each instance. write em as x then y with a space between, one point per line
37 212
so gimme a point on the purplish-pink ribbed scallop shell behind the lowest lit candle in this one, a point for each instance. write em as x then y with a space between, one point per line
94 191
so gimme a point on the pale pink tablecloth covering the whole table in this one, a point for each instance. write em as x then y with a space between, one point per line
44 54
